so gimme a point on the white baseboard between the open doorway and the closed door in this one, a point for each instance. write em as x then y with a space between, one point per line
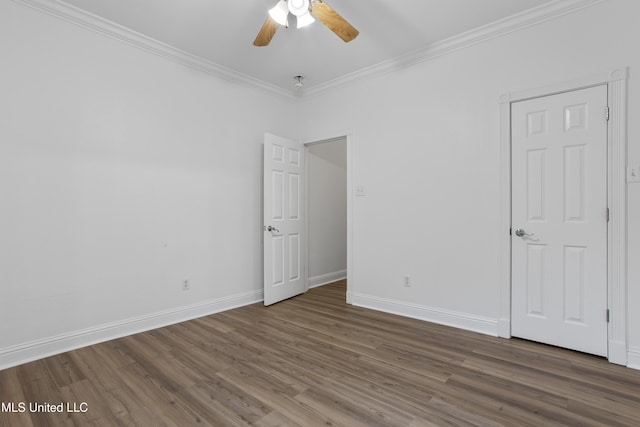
483 325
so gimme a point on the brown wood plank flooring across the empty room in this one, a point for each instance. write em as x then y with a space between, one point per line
313 360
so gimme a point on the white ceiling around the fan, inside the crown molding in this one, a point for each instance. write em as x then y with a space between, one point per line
222 32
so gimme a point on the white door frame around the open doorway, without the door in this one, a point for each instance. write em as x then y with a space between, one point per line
327 137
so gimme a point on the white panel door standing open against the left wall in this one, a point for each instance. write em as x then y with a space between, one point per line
284 239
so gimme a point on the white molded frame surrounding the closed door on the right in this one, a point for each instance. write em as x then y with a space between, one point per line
616 82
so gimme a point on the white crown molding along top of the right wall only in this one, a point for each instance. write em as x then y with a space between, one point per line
478 35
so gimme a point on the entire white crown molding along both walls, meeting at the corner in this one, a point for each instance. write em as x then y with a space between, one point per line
537 15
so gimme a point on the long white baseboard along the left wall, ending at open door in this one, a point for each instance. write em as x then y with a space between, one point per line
34 350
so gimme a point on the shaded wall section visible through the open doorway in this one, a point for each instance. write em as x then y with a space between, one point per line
327 195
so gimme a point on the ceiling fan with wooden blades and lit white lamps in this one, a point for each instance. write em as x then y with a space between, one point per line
306 12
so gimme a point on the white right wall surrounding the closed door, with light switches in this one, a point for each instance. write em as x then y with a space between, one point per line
426 145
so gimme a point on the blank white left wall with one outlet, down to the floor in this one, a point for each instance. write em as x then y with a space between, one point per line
121 174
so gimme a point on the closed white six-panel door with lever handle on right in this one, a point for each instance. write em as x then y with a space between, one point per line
559 220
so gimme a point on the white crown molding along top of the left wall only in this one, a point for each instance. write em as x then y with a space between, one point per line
69 13
